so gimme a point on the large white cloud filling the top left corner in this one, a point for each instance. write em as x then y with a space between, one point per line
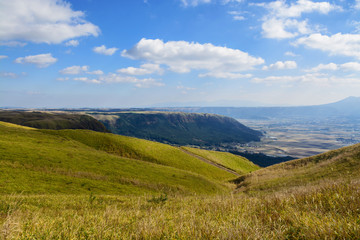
42 21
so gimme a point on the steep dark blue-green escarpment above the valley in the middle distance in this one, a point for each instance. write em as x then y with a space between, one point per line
179 128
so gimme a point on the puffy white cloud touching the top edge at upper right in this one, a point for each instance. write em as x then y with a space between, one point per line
282 20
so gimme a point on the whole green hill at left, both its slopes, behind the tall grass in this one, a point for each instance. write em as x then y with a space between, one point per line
83 161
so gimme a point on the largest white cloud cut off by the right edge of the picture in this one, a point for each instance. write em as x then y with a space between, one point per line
337 44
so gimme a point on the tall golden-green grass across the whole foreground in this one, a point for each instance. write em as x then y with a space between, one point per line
330 210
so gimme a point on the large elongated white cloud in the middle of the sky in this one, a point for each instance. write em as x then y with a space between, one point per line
182 57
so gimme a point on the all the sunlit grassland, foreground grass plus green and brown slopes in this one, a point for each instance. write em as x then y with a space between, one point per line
76 184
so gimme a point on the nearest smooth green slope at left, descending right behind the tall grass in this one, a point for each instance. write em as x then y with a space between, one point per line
33 161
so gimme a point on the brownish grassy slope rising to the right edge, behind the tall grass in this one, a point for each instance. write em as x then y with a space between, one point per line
341 164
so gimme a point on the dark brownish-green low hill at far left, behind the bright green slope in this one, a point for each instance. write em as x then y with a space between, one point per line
47 120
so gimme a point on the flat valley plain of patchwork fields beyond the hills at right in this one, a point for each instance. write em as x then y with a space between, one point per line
301 139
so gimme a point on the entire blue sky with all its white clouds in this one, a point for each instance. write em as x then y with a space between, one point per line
136 53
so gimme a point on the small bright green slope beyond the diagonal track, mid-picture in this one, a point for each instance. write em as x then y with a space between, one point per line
237 163
